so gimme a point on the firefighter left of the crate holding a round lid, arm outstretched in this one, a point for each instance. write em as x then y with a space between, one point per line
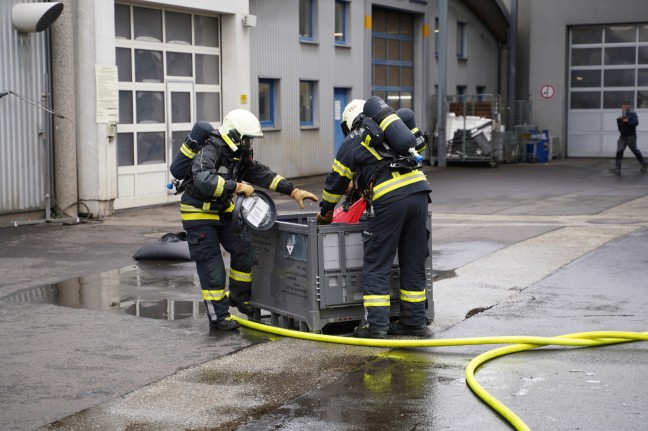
212 177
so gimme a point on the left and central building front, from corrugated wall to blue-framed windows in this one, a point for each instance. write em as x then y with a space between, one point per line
127 79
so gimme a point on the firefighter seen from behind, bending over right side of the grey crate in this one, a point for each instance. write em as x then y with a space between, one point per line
399 198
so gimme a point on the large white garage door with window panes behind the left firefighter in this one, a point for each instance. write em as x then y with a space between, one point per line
169 67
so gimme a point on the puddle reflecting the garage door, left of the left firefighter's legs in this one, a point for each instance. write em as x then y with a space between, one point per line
135 290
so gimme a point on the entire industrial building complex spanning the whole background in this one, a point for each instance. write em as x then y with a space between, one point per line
98 102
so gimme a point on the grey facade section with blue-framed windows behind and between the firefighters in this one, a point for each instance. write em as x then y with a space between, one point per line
310 58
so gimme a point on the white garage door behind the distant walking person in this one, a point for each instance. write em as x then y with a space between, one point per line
608 65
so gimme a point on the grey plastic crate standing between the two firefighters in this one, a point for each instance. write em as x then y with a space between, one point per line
308 276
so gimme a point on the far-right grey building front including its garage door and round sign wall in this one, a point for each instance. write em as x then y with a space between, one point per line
578 61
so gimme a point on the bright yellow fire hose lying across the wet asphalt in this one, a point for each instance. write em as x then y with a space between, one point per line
518 344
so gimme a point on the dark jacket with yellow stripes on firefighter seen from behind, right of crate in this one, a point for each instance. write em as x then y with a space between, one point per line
371 172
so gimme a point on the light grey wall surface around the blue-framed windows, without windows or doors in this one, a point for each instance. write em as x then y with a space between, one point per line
278 54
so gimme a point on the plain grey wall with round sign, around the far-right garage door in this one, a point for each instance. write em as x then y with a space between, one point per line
548 45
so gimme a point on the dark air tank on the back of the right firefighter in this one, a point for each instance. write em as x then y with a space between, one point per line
398 136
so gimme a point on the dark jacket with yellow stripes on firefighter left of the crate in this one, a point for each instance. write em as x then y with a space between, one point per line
210 177
